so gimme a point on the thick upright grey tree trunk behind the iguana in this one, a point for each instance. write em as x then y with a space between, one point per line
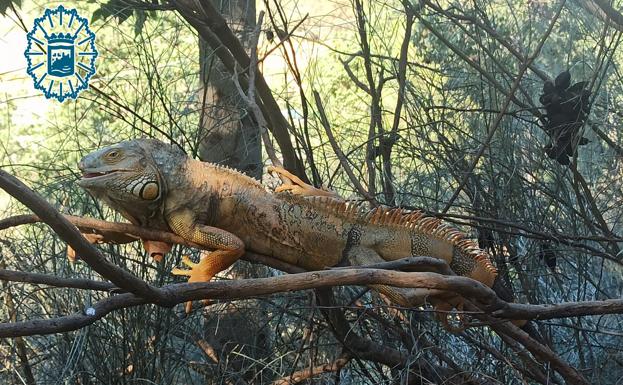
231 137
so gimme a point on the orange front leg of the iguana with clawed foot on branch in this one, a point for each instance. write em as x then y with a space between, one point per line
227 247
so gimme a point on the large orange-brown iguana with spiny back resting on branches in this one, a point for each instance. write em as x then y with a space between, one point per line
156 185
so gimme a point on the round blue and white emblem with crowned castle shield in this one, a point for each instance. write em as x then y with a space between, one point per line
61 53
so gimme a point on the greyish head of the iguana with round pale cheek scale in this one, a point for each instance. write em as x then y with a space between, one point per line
127 176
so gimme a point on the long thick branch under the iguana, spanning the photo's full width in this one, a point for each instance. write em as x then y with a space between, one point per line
248 288
